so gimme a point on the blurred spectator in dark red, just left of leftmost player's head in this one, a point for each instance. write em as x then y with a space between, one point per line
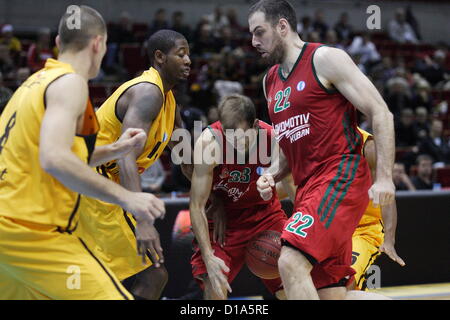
39 52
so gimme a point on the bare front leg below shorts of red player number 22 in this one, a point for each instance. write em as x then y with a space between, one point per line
295 271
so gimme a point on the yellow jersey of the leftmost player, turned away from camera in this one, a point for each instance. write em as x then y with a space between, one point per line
27 192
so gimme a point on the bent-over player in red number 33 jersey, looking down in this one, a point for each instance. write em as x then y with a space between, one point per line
234 182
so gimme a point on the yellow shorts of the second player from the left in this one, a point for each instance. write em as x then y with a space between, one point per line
109 230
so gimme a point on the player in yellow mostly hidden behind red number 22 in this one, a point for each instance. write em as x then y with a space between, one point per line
369 238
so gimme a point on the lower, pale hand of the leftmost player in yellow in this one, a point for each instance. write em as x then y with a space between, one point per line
144 206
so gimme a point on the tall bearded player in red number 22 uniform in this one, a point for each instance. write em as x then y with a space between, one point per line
312 92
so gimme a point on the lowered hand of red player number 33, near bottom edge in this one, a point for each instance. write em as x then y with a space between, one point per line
216 269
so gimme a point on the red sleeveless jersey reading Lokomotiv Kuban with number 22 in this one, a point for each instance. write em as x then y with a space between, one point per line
314 126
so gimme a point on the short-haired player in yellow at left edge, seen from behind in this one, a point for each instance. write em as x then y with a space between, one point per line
47 136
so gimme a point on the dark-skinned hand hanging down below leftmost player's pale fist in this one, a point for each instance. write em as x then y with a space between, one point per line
147 239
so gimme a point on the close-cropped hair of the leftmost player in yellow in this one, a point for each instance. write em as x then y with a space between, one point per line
91 25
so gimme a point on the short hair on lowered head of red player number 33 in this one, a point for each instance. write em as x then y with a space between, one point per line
234 109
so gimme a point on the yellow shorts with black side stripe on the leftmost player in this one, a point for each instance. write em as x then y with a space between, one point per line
38 262
